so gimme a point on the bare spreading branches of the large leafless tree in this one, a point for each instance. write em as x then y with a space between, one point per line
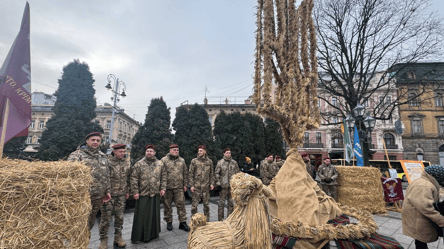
361 44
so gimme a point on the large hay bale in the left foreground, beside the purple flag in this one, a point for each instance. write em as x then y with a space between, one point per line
44 204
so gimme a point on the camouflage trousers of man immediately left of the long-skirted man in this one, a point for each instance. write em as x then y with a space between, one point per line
118 204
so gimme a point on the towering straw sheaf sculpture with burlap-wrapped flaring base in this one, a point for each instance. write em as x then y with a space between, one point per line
286 65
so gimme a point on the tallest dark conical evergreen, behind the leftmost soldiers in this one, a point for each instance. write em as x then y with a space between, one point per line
74 111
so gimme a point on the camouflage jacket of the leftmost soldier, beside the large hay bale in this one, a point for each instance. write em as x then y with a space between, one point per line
98 162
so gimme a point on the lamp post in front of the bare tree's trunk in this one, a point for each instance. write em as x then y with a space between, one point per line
364 125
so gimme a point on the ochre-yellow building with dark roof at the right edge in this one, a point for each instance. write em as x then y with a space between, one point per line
422 87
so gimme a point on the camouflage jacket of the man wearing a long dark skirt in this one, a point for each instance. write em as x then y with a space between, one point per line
148 177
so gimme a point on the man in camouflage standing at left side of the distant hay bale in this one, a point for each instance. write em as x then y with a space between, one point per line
328 174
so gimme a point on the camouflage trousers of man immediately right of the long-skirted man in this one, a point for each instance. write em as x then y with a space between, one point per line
178 197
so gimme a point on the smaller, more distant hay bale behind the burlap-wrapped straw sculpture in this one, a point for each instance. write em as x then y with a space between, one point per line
361 188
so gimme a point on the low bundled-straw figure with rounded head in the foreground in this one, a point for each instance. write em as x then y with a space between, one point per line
248 226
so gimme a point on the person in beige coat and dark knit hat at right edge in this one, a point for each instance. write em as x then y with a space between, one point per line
420 220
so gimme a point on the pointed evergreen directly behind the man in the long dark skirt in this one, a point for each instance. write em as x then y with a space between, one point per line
155 130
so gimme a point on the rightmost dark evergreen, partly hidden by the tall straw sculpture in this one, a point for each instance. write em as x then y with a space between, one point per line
273 138
